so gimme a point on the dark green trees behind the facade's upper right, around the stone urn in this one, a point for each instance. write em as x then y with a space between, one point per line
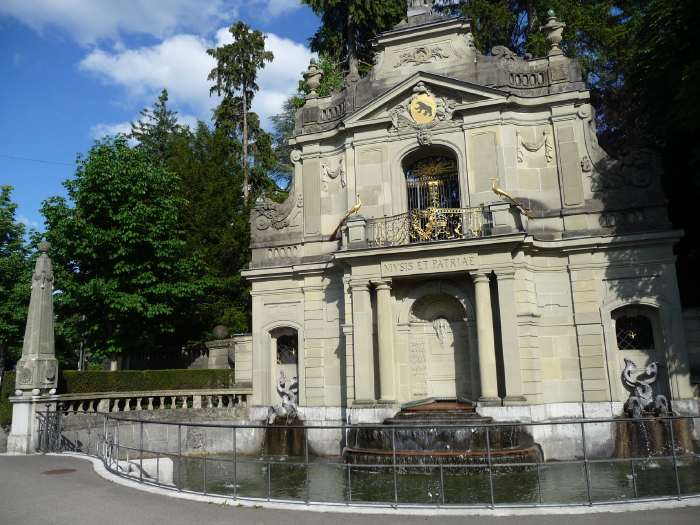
598 33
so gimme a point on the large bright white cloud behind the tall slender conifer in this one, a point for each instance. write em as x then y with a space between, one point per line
180 65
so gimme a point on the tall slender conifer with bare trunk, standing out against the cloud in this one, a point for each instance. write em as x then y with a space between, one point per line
234 78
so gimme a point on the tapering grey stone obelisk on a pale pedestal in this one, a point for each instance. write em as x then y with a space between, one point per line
37 369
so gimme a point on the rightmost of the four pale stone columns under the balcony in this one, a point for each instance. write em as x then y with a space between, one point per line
509 337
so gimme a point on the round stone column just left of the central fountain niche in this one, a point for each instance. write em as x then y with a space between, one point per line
385 339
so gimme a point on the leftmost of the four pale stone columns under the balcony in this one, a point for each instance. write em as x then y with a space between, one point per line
362 341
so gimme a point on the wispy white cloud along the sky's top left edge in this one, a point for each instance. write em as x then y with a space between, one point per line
89 21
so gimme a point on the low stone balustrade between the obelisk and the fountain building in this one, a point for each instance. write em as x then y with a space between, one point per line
149 401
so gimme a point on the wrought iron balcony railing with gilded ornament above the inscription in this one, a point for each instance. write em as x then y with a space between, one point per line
428 225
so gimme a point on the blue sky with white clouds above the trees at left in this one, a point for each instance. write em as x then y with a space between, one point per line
77 69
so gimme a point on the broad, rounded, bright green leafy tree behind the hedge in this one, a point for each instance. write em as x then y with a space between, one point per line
117 245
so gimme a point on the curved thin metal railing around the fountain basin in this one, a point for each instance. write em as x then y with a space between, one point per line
572 462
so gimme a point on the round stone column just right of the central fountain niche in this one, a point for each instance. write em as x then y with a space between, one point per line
486 345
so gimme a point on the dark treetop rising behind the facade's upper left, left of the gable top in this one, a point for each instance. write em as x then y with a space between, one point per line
348 27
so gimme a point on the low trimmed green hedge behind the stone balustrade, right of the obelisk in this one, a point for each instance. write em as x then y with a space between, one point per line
74 382
